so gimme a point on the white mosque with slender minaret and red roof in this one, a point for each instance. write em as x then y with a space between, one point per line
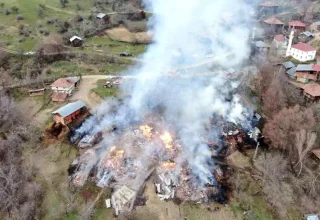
300 51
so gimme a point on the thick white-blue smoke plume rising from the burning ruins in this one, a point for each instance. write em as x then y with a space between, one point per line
185 33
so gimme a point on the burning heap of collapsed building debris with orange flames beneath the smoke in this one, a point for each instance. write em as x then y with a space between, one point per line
125 162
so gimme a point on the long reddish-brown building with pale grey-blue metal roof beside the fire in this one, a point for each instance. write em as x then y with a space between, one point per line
70 112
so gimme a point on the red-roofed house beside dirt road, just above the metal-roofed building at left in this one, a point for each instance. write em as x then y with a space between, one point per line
63 87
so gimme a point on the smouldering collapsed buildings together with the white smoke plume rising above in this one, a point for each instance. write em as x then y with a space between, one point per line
163 127
